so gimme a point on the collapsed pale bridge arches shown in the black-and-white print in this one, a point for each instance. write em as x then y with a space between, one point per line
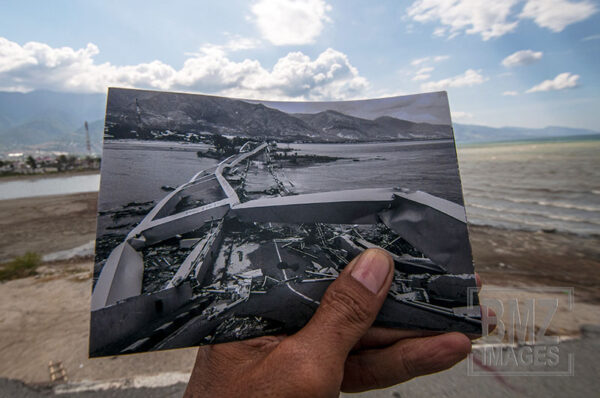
434 226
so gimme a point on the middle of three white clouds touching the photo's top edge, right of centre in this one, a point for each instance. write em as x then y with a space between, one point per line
487 18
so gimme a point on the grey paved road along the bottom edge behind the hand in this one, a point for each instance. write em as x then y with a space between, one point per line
452 383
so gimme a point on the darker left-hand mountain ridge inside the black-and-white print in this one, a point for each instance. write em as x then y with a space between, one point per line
142 114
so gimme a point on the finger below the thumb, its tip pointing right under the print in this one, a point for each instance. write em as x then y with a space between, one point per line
404 360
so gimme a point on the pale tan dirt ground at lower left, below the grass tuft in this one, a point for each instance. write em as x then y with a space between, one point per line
46 318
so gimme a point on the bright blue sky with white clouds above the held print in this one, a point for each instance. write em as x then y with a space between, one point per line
528 63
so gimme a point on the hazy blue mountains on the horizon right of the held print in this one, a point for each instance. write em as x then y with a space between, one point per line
471 134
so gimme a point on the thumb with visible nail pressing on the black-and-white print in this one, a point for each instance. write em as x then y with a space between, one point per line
349 306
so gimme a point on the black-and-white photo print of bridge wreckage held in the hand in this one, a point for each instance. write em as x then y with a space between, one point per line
223 219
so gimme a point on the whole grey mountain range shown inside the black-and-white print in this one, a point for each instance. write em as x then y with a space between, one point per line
146 114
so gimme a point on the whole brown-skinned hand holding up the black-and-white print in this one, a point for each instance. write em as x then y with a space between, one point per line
338 350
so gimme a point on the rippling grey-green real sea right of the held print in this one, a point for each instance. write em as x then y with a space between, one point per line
549 186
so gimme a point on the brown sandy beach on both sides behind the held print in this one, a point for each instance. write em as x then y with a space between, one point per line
45 318
